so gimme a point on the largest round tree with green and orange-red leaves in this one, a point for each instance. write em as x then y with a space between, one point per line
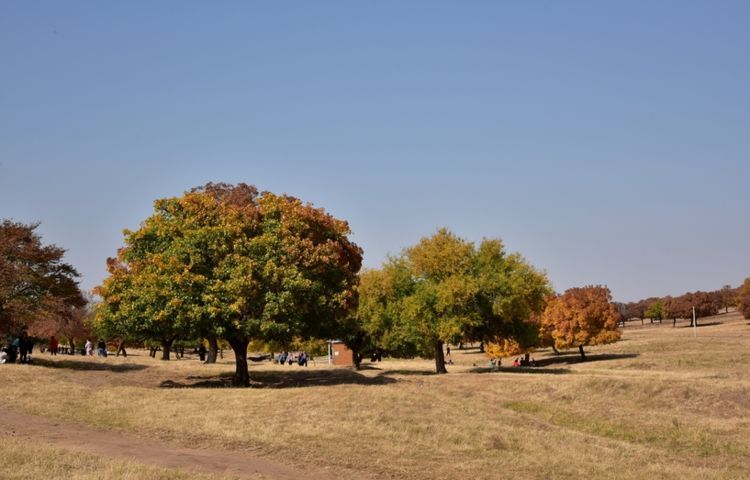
226 261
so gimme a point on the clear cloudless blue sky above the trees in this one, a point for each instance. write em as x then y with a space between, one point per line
608 142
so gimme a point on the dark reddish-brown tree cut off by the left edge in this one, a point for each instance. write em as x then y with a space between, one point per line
35 283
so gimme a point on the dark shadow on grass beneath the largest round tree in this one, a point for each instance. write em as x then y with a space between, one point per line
293 379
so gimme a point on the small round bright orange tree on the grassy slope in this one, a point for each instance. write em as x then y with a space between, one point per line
580 317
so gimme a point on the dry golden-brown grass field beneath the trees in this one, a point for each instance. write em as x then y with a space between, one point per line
662 403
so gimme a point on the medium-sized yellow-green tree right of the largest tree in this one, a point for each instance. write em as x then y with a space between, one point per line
445 289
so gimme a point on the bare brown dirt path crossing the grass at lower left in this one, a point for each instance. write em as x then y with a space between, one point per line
85 439
